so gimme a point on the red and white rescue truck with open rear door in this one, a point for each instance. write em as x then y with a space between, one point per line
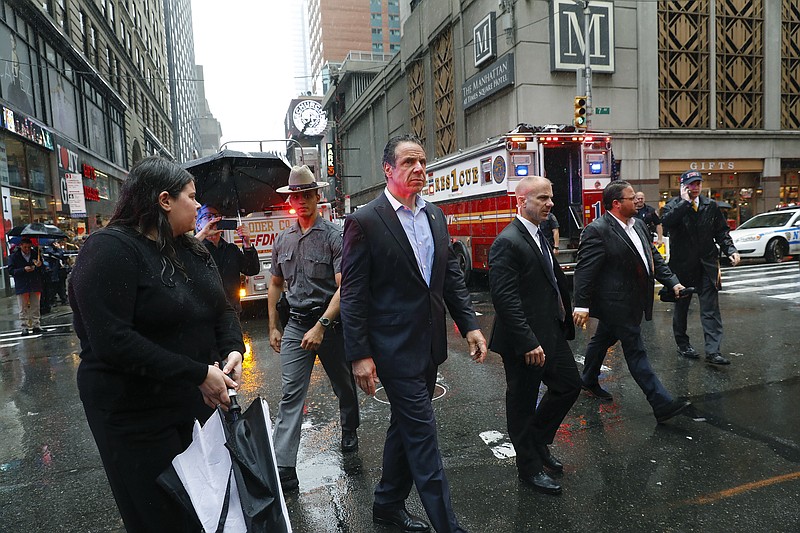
475 187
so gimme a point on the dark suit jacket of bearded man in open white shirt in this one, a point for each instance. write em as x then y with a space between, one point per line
610 277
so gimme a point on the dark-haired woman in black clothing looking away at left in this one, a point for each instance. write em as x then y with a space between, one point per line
160 345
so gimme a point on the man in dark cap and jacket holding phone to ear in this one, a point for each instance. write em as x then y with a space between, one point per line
696 227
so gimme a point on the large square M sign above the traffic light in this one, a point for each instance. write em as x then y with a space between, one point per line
568 39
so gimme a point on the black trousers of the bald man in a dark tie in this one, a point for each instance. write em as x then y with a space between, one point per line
530 424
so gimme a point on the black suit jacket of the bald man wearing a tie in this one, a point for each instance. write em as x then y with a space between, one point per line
524 296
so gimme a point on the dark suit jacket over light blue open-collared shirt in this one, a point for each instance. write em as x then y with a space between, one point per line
388 311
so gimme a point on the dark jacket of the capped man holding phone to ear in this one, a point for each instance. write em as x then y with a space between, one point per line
694 236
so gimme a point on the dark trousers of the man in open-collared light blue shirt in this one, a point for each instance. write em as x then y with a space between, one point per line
411 452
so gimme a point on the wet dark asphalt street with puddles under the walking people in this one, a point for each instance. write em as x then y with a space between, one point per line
731 464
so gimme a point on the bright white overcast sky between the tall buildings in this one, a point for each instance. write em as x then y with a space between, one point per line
248 79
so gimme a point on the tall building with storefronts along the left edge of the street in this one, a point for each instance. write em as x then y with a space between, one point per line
83 96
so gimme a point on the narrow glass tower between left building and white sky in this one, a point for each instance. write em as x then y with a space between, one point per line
181 69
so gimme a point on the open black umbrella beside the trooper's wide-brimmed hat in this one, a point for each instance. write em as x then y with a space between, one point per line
239 182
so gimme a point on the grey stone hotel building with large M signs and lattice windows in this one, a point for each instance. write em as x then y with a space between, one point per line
712 86
